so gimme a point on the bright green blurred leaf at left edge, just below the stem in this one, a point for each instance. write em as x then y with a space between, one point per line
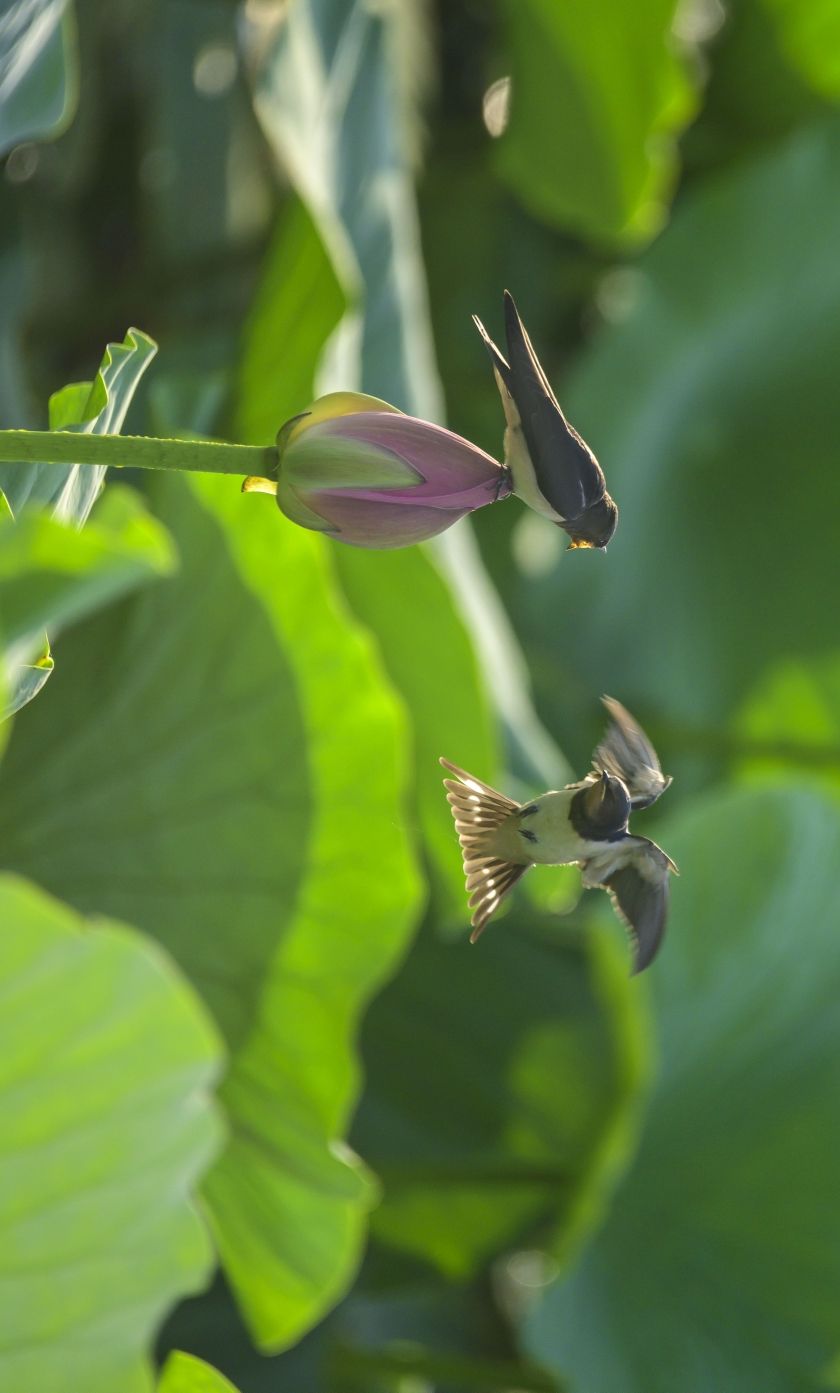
52 575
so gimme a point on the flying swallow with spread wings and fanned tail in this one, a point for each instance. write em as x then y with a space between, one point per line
584 824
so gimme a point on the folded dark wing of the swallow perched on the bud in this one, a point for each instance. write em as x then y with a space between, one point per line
569 476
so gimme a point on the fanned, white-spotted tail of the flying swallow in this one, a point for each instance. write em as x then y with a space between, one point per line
479 813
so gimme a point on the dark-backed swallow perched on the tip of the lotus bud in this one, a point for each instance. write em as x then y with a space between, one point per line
554 472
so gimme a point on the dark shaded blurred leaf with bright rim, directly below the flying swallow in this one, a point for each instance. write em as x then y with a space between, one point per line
502 1087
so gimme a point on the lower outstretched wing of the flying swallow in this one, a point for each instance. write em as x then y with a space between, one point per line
636 876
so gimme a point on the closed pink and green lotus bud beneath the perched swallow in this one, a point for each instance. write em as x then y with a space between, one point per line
367 474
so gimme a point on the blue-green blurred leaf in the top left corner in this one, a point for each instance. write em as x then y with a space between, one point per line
38 70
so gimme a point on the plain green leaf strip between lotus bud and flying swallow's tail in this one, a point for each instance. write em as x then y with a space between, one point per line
403 600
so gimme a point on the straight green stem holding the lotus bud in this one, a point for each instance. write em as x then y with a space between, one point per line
137 453
